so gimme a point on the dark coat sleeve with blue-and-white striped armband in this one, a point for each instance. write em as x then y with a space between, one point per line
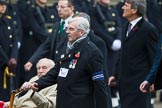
100 86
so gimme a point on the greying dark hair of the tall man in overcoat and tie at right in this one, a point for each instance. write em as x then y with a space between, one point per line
140 5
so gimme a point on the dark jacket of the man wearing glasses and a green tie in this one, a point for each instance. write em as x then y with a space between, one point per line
52 47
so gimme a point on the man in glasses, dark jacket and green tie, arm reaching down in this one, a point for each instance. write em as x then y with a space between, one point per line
53 47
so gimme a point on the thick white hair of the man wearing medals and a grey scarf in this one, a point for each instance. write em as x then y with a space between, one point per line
82 23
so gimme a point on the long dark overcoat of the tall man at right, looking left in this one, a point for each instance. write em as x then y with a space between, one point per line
137 54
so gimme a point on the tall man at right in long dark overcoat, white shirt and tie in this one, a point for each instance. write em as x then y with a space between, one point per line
139 44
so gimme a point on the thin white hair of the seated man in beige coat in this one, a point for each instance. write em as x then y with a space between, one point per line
49 62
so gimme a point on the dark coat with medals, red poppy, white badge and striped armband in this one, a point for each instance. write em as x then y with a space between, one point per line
81 84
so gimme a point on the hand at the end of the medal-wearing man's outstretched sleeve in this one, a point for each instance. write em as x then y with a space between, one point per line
29 85
